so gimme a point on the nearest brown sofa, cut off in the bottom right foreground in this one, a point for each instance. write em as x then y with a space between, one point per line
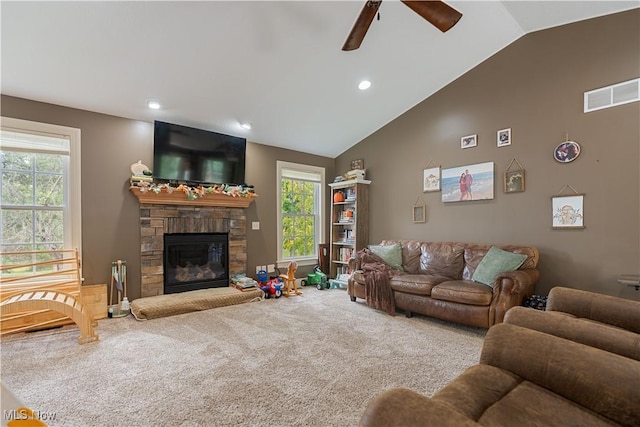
525 377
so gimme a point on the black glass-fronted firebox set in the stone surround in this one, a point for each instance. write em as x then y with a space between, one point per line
195 261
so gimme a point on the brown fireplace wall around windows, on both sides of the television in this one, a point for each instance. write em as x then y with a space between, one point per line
110 216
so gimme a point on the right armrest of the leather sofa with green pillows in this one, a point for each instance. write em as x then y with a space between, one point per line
510 289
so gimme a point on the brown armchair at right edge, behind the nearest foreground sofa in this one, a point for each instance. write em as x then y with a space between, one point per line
601 321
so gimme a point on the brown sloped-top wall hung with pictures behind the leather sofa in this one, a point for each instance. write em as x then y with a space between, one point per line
534 86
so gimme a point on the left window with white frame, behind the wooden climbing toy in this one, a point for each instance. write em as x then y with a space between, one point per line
40 186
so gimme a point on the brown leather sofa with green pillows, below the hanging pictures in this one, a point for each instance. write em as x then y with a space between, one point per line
436 281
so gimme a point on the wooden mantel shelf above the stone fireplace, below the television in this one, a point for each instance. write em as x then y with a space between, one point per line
180 198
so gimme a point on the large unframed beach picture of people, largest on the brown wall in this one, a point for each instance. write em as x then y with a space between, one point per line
467 183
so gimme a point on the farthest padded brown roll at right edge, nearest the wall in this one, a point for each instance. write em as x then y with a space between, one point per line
619 312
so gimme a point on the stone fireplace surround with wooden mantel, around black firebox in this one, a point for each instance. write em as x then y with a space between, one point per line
160 214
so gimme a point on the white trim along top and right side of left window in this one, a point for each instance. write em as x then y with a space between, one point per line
73 209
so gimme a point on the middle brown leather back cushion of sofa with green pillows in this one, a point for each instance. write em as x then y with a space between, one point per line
442 259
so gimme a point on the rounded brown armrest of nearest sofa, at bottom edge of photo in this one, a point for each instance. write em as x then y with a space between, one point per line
405 408
